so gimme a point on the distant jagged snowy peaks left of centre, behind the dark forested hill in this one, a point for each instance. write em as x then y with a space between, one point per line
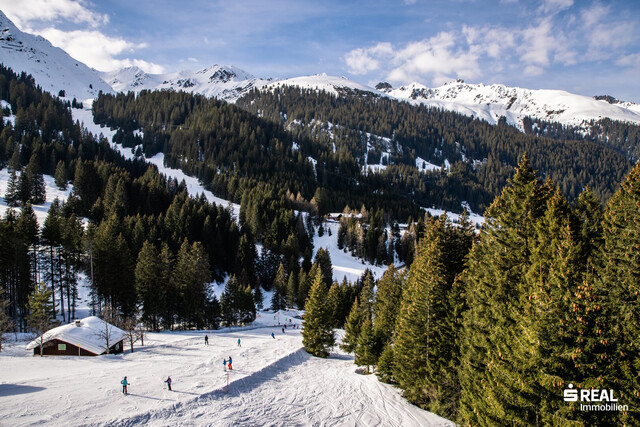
223 82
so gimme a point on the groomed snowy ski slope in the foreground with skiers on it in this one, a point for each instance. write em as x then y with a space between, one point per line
273 382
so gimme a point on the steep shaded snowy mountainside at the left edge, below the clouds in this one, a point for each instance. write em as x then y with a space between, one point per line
51 67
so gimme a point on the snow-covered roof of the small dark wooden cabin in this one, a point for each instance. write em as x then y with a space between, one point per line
90 335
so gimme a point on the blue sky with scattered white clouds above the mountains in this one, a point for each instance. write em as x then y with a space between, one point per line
587 47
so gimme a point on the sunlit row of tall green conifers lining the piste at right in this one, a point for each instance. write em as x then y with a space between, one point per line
491 329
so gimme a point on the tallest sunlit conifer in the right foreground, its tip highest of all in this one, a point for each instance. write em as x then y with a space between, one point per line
494 387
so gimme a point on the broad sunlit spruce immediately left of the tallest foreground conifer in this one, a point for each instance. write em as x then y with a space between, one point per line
424 345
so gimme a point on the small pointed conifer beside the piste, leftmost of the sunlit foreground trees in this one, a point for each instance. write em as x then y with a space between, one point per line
317 334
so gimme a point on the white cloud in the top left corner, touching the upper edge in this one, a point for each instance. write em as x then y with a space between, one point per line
24 12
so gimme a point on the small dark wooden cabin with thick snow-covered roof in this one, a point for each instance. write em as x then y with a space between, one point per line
85 337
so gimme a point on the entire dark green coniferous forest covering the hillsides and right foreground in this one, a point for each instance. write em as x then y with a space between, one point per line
483 327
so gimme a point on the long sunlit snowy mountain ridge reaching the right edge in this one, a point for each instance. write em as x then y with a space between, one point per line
493 101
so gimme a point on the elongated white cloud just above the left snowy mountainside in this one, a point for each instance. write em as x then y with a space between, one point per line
98 50
